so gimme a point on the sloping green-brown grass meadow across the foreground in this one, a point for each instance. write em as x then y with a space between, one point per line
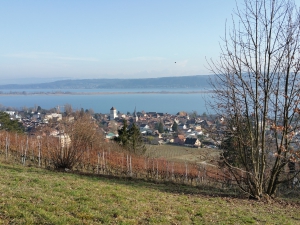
36 196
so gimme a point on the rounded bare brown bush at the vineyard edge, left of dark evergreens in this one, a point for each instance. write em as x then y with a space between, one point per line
76 141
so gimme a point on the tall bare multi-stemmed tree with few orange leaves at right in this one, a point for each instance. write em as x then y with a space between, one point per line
257 91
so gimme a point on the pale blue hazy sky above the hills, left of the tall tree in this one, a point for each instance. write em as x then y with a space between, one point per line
109 39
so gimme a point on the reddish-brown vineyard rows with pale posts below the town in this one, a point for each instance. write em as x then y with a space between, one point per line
109 159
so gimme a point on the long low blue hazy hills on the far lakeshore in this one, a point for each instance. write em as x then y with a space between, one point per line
200 81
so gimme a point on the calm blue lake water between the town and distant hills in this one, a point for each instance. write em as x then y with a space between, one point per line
154 102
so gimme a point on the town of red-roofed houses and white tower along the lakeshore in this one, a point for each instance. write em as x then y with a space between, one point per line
186 129
